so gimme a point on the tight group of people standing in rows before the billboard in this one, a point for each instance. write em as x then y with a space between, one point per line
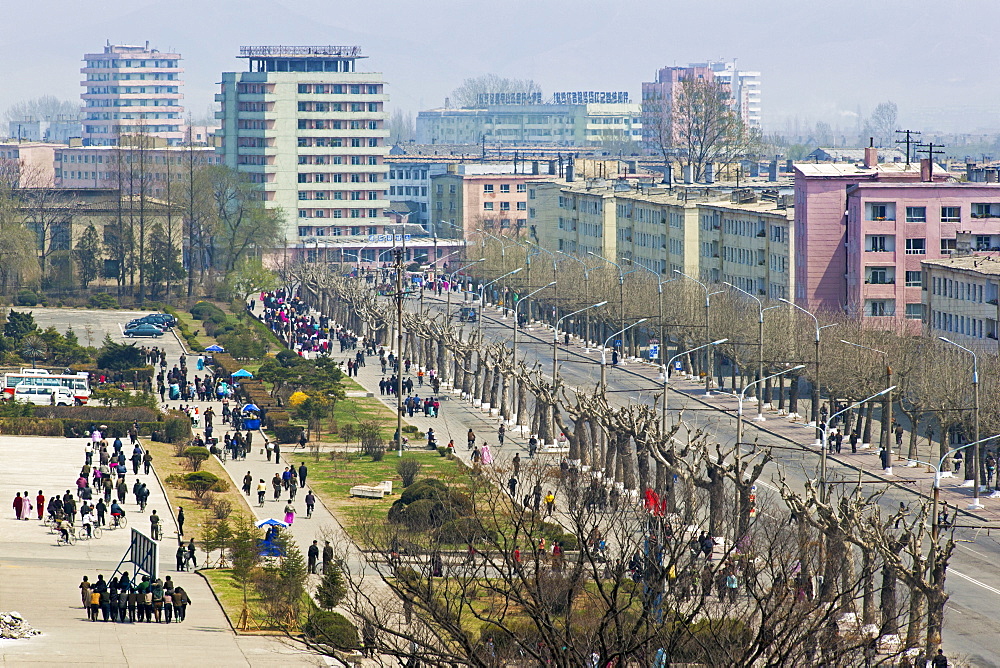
123 600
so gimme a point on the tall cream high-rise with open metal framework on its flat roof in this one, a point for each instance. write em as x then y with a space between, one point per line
304 123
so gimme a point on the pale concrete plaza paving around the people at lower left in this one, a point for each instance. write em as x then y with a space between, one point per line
39 579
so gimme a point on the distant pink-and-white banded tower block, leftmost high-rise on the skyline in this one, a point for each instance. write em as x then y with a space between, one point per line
131 89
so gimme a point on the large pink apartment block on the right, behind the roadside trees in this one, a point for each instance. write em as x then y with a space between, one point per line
862 231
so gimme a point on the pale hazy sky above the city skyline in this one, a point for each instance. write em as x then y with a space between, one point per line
819 61
